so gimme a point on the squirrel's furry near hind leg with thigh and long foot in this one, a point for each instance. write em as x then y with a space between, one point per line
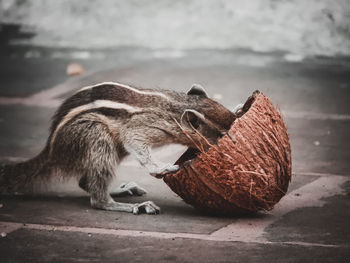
95 156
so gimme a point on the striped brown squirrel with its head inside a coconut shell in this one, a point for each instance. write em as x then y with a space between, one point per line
98 126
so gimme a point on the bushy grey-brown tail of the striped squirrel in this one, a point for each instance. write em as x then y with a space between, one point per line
19 177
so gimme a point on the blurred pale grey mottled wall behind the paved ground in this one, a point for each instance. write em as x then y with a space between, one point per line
305 28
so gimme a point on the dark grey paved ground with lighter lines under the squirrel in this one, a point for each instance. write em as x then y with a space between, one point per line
310 224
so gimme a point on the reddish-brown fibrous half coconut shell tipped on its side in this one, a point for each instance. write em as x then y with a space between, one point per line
248 170
